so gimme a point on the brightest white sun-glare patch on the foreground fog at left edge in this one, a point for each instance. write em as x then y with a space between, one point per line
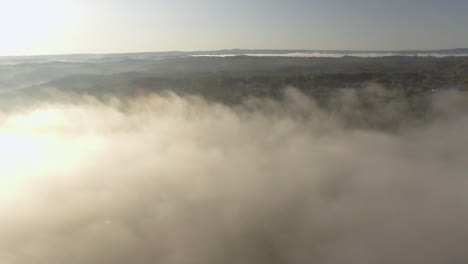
39 146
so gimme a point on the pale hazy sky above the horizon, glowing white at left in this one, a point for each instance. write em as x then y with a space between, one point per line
106 26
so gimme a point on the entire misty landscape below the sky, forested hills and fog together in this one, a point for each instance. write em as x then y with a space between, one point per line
234 156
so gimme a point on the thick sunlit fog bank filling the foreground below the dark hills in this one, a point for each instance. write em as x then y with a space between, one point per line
167 179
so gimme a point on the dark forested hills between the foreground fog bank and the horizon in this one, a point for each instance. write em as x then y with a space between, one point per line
231 79
